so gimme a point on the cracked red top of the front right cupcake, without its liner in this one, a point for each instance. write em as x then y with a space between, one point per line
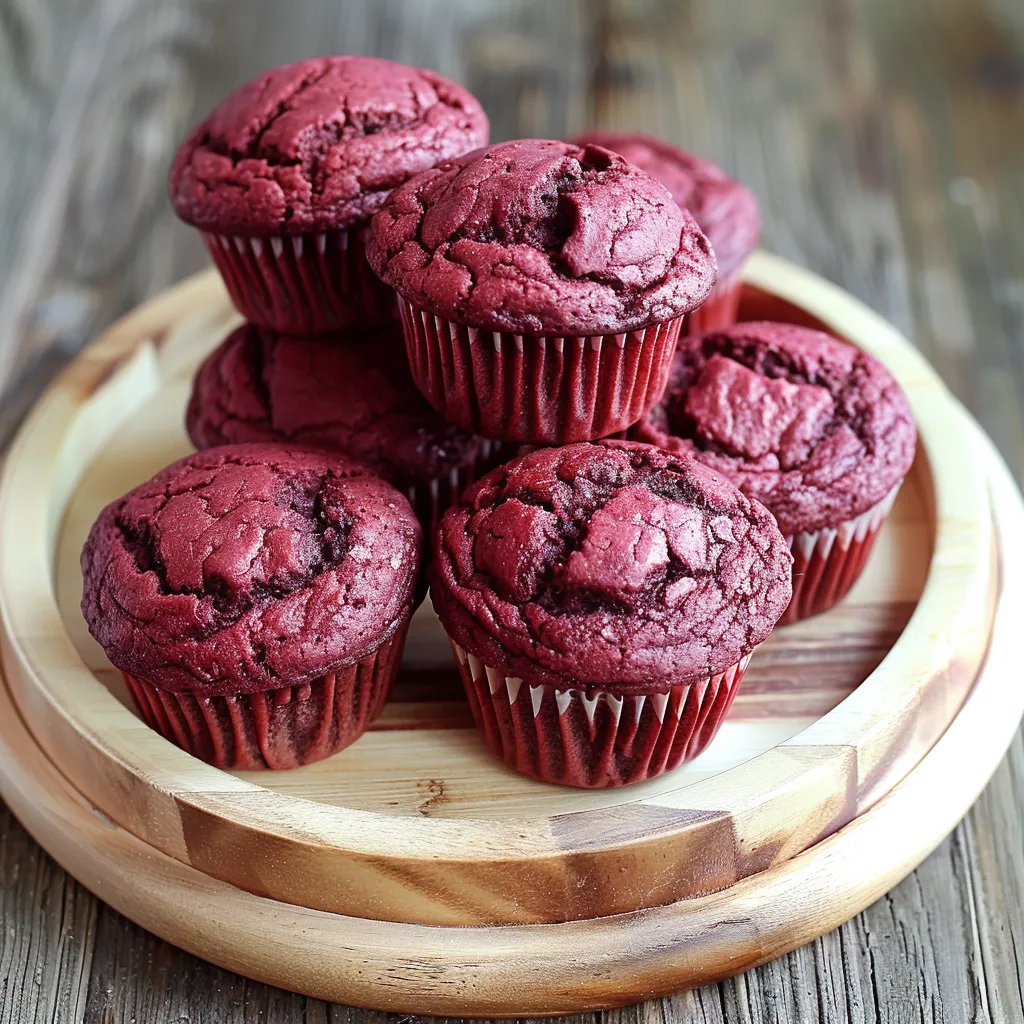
611 564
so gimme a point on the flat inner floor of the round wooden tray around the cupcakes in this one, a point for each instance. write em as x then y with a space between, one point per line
423 756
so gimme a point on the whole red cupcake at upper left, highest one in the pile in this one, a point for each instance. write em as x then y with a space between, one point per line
283 178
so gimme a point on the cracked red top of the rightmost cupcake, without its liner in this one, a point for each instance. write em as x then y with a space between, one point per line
810 426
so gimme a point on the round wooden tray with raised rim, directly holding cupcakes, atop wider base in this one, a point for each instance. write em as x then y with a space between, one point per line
416 824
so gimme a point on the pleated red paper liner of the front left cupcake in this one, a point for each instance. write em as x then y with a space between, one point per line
283 729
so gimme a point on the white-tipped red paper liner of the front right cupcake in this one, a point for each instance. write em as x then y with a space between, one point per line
590 738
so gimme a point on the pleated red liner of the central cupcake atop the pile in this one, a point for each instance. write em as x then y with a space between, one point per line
538 390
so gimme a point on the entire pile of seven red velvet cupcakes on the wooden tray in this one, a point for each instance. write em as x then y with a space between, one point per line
444 338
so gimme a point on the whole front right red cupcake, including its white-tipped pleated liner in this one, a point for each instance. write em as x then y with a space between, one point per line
603 602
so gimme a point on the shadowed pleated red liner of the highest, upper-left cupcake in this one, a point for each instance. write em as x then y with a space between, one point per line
303 284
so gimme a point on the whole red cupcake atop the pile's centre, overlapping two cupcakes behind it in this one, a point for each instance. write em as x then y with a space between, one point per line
542 286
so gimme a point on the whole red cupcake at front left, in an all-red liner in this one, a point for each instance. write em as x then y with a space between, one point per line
257 599
